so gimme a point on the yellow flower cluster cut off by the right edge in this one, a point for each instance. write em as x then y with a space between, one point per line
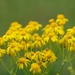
68 40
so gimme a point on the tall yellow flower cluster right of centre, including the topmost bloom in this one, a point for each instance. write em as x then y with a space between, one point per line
54 29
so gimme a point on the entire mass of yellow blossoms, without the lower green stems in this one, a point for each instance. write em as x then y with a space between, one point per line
29 48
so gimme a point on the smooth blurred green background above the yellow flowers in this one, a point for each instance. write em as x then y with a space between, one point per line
38 10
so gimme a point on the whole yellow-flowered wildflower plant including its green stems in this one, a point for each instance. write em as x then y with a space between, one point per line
34 52
